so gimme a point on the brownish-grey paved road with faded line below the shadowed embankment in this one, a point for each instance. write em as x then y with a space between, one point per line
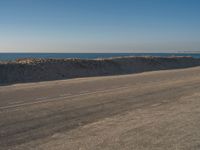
152 110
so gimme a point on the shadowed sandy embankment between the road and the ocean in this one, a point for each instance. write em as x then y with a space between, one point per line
34 70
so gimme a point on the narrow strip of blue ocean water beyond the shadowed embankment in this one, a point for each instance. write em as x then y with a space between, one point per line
13 56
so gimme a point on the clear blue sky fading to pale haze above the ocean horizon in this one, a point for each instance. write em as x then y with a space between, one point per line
99 25
